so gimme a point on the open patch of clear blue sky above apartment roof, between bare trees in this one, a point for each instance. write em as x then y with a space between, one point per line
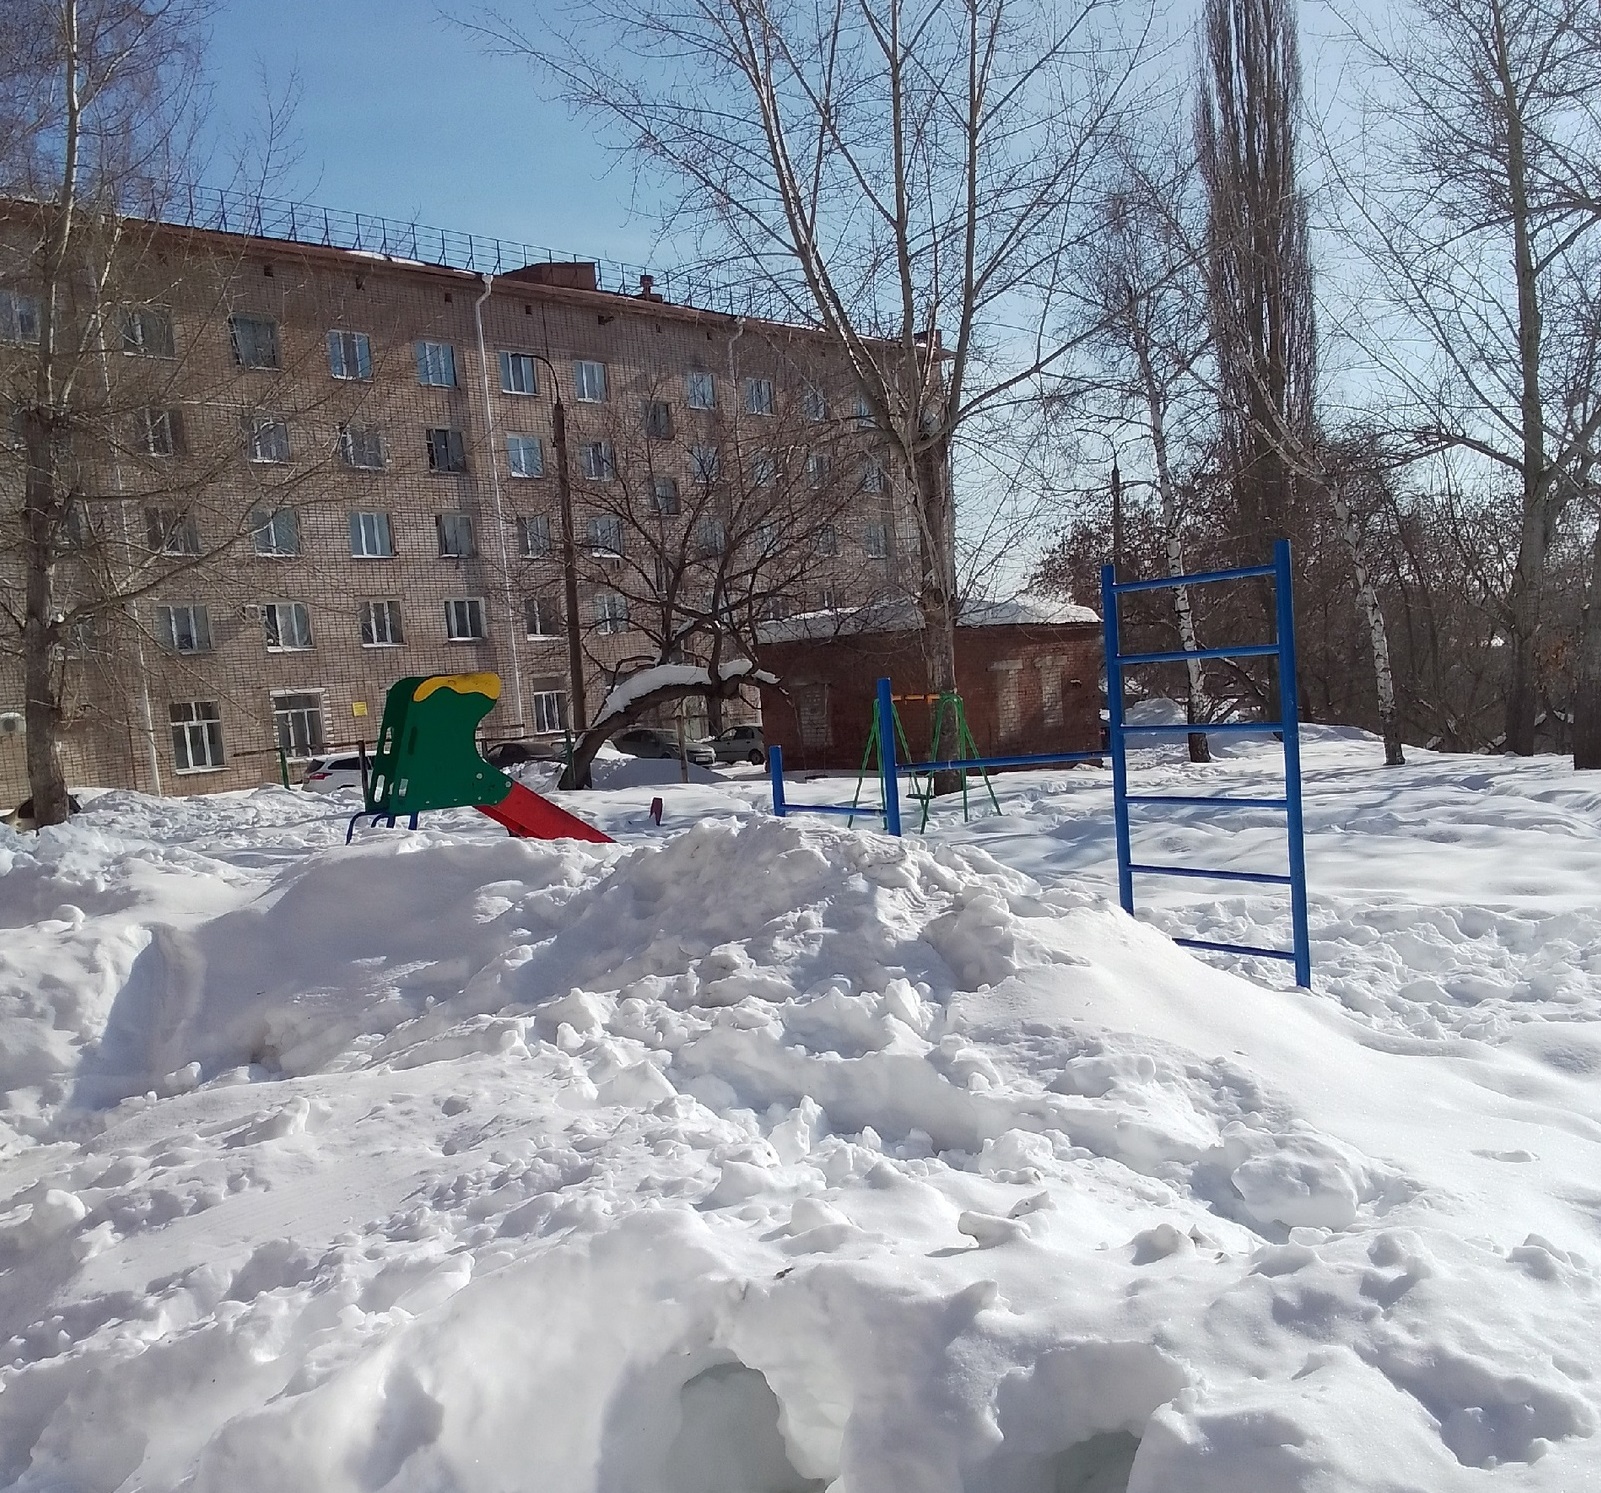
407 118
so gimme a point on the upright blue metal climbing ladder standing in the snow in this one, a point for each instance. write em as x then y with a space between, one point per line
1118 732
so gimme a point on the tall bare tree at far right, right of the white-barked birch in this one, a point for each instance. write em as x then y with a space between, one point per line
1477 198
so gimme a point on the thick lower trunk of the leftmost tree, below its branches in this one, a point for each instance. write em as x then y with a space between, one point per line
41 690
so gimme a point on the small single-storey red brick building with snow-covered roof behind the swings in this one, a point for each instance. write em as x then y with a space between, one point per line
1029 673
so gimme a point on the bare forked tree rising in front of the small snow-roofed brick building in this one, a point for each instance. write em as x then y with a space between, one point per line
902 174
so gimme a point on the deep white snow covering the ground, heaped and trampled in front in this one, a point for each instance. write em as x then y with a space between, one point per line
763 1156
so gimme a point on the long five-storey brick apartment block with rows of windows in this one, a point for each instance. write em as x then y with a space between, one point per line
323 470
